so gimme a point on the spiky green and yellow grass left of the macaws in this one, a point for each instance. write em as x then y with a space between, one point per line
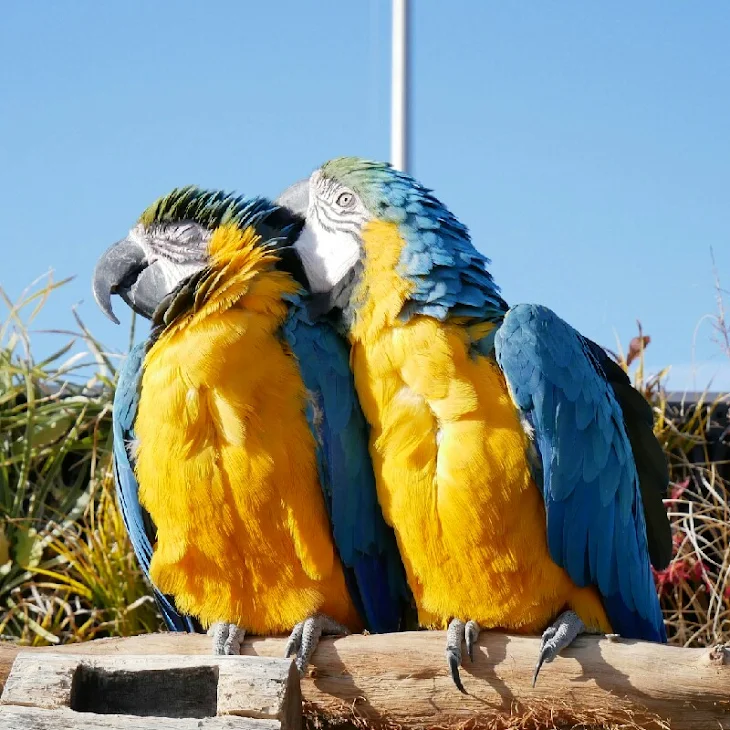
67 572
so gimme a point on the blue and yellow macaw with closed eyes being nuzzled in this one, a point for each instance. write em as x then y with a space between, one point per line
241 454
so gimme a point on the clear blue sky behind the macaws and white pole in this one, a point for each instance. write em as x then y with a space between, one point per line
586 145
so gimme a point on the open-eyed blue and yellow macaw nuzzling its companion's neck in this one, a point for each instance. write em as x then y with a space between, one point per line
513 458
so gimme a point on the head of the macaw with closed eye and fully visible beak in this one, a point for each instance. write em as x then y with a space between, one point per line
188 233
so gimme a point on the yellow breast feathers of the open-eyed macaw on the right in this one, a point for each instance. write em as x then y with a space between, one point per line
450 462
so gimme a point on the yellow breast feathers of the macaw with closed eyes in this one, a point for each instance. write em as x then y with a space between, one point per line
226 460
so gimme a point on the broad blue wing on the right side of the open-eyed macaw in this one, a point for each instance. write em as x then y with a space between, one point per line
595 518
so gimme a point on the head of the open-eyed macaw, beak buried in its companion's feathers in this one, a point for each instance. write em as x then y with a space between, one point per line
366 220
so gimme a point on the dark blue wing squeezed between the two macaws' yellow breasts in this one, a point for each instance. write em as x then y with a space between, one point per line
366 545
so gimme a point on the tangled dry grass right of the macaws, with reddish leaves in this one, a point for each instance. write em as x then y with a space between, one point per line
695 589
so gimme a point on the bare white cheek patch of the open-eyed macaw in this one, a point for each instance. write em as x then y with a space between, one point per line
327 256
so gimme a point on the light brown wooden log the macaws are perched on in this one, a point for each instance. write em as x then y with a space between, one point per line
402 680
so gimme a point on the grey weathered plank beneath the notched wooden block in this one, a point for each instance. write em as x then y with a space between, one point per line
32 718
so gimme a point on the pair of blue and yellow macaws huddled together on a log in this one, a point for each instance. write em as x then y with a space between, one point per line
512 473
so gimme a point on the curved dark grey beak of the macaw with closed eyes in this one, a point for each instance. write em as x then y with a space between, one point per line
124 269
